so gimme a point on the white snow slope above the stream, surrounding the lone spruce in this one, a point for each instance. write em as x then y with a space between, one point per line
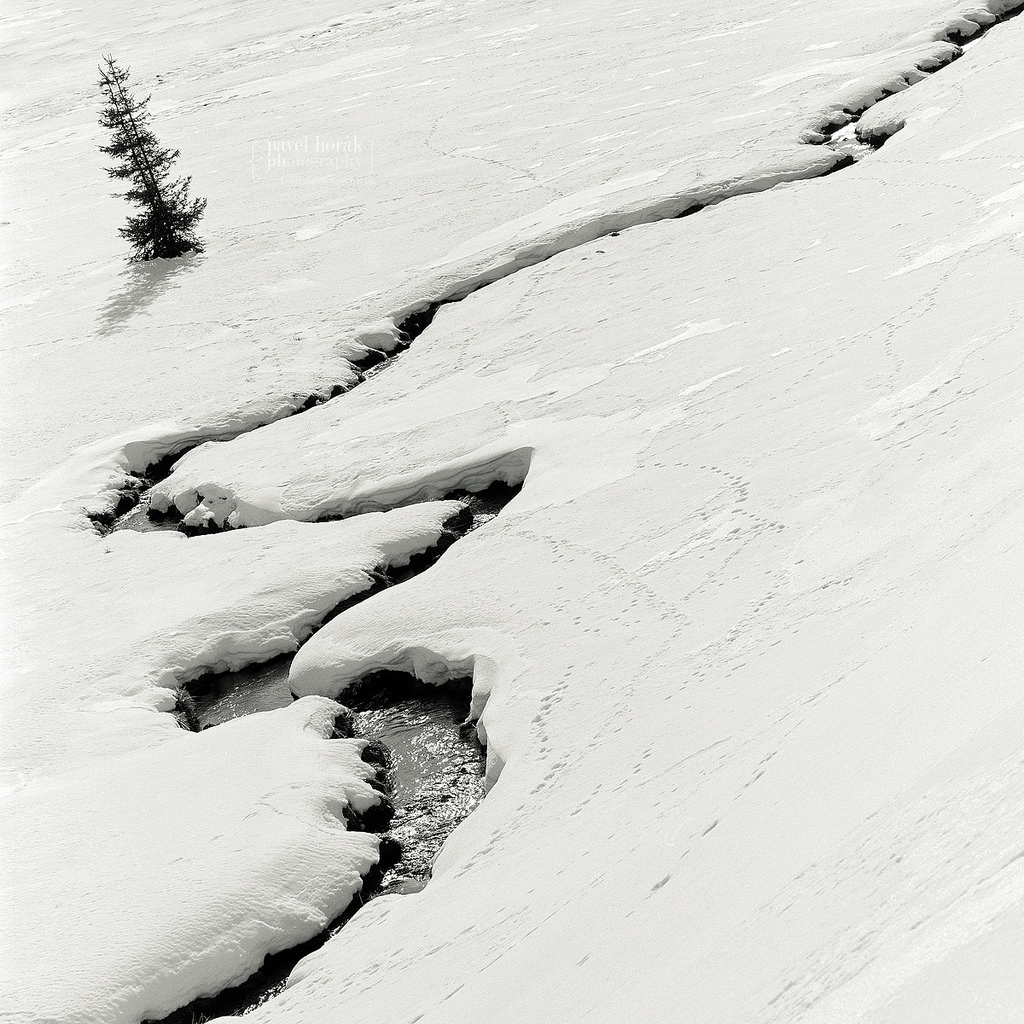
660 95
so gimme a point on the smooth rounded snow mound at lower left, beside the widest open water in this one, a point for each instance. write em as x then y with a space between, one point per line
165 893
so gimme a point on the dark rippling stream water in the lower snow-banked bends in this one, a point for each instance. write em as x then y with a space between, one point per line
432 767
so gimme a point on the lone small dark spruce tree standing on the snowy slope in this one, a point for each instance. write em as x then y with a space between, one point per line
166 227
